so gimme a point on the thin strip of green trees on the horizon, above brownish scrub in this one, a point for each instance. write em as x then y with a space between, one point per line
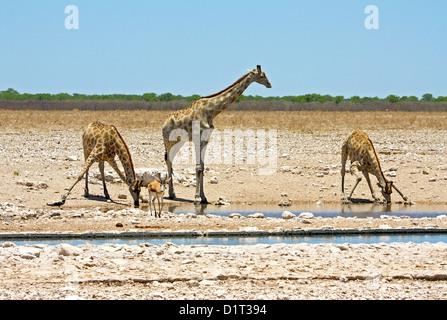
11 94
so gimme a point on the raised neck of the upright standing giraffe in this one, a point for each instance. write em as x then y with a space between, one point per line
218 102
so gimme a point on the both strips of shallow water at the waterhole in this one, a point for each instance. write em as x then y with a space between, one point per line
359 210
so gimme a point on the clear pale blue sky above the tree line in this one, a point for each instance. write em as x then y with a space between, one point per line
202 46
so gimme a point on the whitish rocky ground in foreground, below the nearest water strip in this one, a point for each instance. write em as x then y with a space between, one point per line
302 271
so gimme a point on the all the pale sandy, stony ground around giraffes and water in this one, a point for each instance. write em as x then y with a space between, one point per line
40 162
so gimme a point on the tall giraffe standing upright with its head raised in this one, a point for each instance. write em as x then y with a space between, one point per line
197 122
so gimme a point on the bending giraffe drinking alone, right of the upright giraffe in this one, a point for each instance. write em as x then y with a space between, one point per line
359 148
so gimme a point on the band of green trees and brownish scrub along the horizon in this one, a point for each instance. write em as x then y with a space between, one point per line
12 100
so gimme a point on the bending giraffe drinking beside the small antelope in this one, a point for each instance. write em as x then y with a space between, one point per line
102 143
